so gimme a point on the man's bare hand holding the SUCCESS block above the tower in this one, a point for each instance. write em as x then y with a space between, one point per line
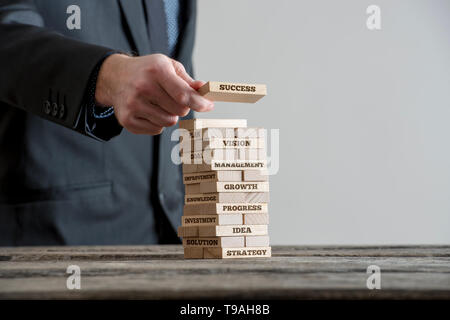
149 92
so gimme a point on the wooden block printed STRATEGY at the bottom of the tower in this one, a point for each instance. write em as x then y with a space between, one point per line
233 253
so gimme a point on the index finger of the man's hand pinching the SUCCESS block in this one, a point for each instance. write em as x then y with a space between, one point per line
183 94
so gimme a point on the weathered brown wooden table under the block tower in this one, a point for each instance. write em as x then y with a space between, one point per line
160 272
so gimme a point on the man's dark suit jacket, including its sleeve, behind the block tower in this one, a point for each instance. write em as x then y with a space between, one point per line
58 186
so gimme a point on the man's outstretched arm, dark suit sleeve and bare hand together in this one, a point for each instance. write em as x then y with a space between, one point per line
48 74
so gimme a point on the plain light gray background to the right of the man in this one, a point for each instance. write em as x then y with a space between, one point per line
364 116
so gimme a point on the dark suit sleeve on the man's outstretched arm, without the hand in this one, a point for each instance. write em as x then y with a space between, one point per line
43 72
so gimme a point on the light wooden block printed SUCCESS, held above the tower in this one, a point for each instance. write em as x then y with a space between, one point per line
233 92
